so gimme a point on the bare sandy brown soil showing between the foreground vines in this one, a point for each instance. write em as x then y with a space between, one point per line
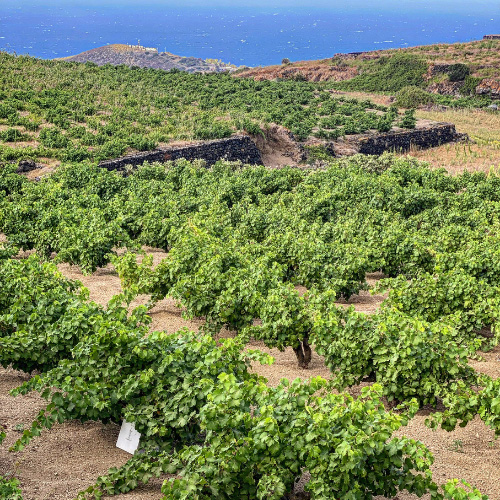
69 457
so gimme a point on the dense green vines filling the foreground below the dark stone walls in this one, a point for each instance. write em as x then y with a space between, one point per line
266 255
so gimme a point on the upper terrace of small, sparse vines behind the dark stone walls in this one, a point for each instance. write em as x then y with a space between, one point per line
71 112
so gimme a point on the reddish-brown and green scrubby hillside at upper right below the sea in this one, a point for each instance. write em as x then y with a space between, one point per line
482 75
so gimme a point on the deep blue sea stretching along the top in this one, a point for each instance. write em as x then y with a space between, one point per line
261 34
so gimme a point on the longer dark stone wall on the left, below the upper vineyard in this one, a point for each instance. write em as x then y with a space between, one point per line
236 148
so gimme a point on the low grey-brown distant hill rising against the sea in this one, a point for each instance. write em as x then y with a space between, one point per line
148 57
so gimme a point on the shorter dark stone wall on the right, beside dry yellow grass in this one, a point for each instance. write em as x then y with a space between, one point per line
403 140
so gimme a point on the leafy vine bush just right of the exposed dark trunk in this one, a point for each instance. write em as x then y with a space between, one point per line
411 358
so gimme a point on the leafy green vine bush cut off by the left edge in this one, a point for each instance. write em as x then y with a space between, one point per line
42 315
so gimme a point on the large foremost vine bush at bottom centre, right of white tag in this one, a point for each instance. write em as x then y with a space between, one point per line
259 455
